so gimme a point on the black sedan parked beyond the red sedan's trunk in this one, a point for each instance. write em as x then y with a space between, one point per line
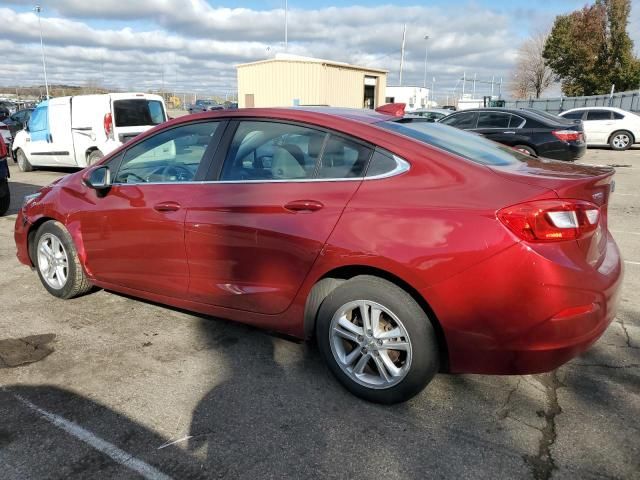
524 130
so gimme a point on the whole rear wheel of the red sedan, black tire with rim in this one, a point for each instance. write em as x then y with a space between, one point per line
360 363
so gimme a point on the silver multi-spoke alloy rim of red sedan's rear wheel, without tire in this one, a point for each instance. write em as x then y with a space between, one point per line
370 344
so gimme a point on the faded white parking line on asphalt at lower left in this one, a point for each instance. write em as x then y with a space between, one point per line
117 455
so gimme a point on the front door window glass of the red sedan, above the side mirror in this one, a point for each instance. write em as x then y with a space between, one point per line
170 156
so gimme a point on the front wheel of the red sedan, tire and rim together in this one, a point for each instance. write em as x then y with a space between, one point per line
68 280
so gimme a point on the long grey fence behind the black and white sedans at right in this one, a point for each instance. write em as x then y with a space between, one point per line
629 101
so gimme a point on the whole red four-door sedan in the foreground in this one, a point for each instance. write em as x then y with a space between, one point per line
404 248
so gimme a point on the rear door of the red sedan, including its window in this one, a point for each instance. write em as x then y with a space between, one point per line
279 191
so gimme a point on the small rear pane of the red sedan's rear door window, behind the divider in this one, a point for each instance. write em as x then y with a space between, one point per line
342 158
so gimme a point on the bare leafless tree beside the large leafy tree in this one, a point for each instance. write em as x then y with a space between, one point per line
531 76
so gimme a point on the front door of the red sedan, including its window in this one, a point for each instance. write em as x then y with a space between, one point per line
134 235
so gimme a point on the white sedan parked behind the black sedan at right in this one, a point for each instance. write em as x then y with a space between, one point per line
607 126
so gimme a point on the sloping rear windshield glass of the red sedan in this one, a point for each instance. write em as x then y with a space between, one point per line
465 144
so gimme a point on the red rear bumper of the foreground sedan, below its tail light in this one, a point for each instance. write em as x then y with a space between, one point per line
521 312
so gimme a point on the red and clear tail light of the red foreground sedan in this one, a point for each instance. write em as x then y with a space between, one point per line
551 220
